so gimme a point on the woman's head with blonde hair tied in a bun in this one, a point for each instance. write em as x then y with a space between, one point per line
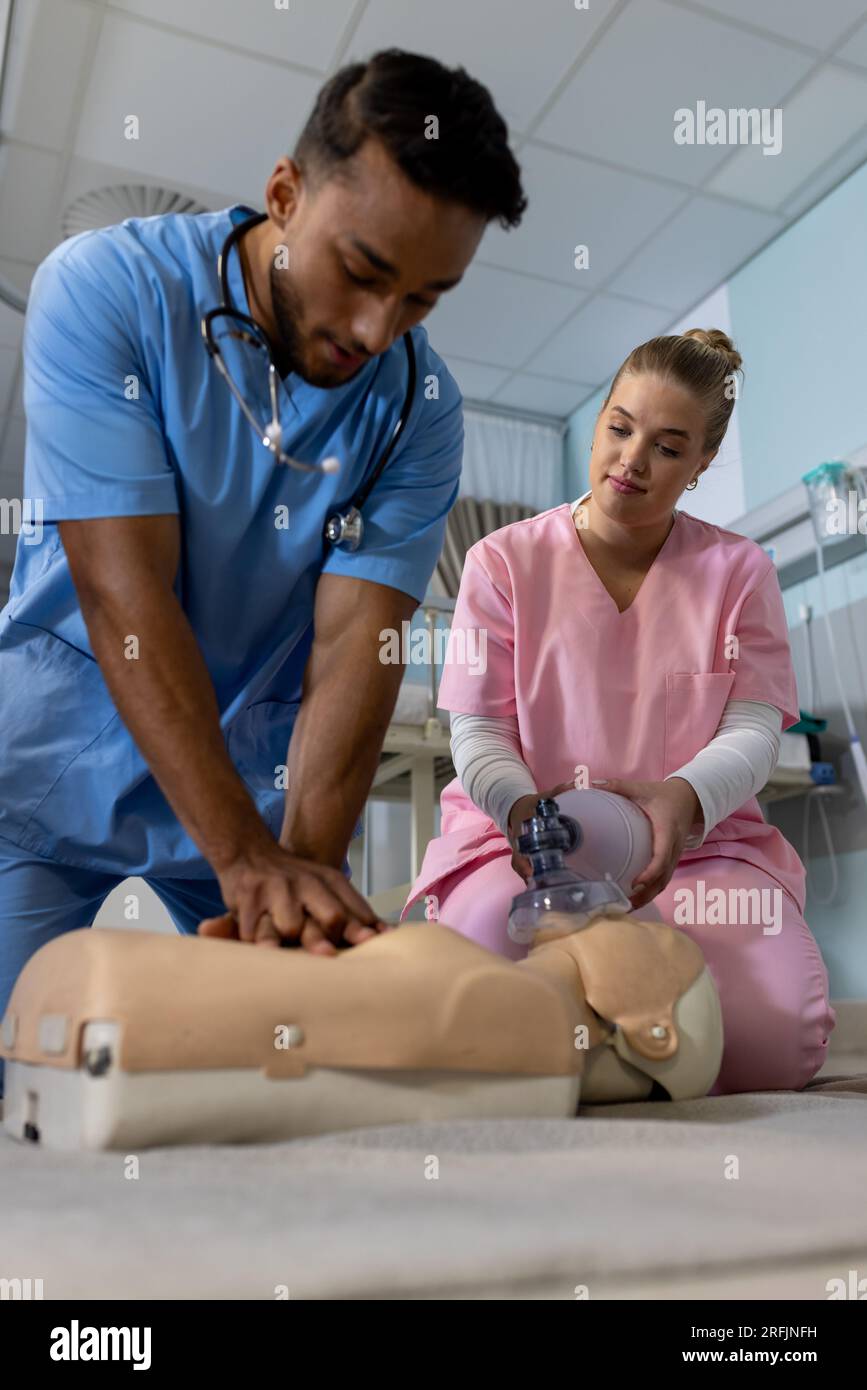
662 423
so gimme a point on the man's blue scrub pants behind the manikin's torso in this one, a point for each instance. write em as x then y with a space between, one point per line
41 900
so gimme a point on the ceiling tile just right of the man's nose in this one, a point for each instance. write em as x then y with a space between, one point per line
497 318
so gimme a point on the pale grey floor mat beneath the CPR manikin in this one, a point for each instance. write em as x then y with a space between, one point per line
625 1199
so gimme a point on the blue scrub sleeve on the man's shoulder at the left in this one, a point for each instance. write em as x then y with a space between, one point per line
95 445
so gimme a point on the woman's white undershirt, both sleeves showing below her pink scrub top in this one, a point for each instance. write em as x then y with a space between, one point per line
733 768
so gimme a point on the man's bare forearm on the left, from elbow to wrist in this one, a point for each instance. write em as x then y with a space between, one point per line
166 698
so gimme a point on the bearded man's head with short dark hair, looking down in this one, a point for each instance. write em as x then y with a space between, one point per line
397 174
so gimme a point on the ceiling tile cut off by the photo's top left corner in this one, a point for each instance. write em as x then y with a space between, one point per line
45 70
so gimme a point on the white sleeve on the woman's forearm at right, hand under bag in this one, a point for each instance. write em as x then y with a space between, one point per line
736 765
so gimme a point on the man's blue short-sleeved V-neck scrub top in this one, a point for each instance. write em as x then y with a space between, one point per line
129 416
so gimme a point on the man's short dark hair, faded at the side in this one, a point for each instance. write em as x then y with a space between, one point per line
390 98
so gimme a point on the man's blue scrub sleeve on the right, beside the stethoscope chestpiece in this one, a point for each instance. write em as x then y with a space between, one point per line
405 516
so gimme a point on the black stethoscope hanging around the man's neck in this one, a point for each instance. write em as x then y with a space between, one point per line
344 530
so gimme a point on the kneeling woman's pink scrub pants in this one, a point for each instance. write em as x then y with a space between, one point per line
773 988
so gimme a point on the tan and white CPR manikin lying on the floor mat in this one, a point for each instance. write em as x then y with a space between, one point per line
123 1039
